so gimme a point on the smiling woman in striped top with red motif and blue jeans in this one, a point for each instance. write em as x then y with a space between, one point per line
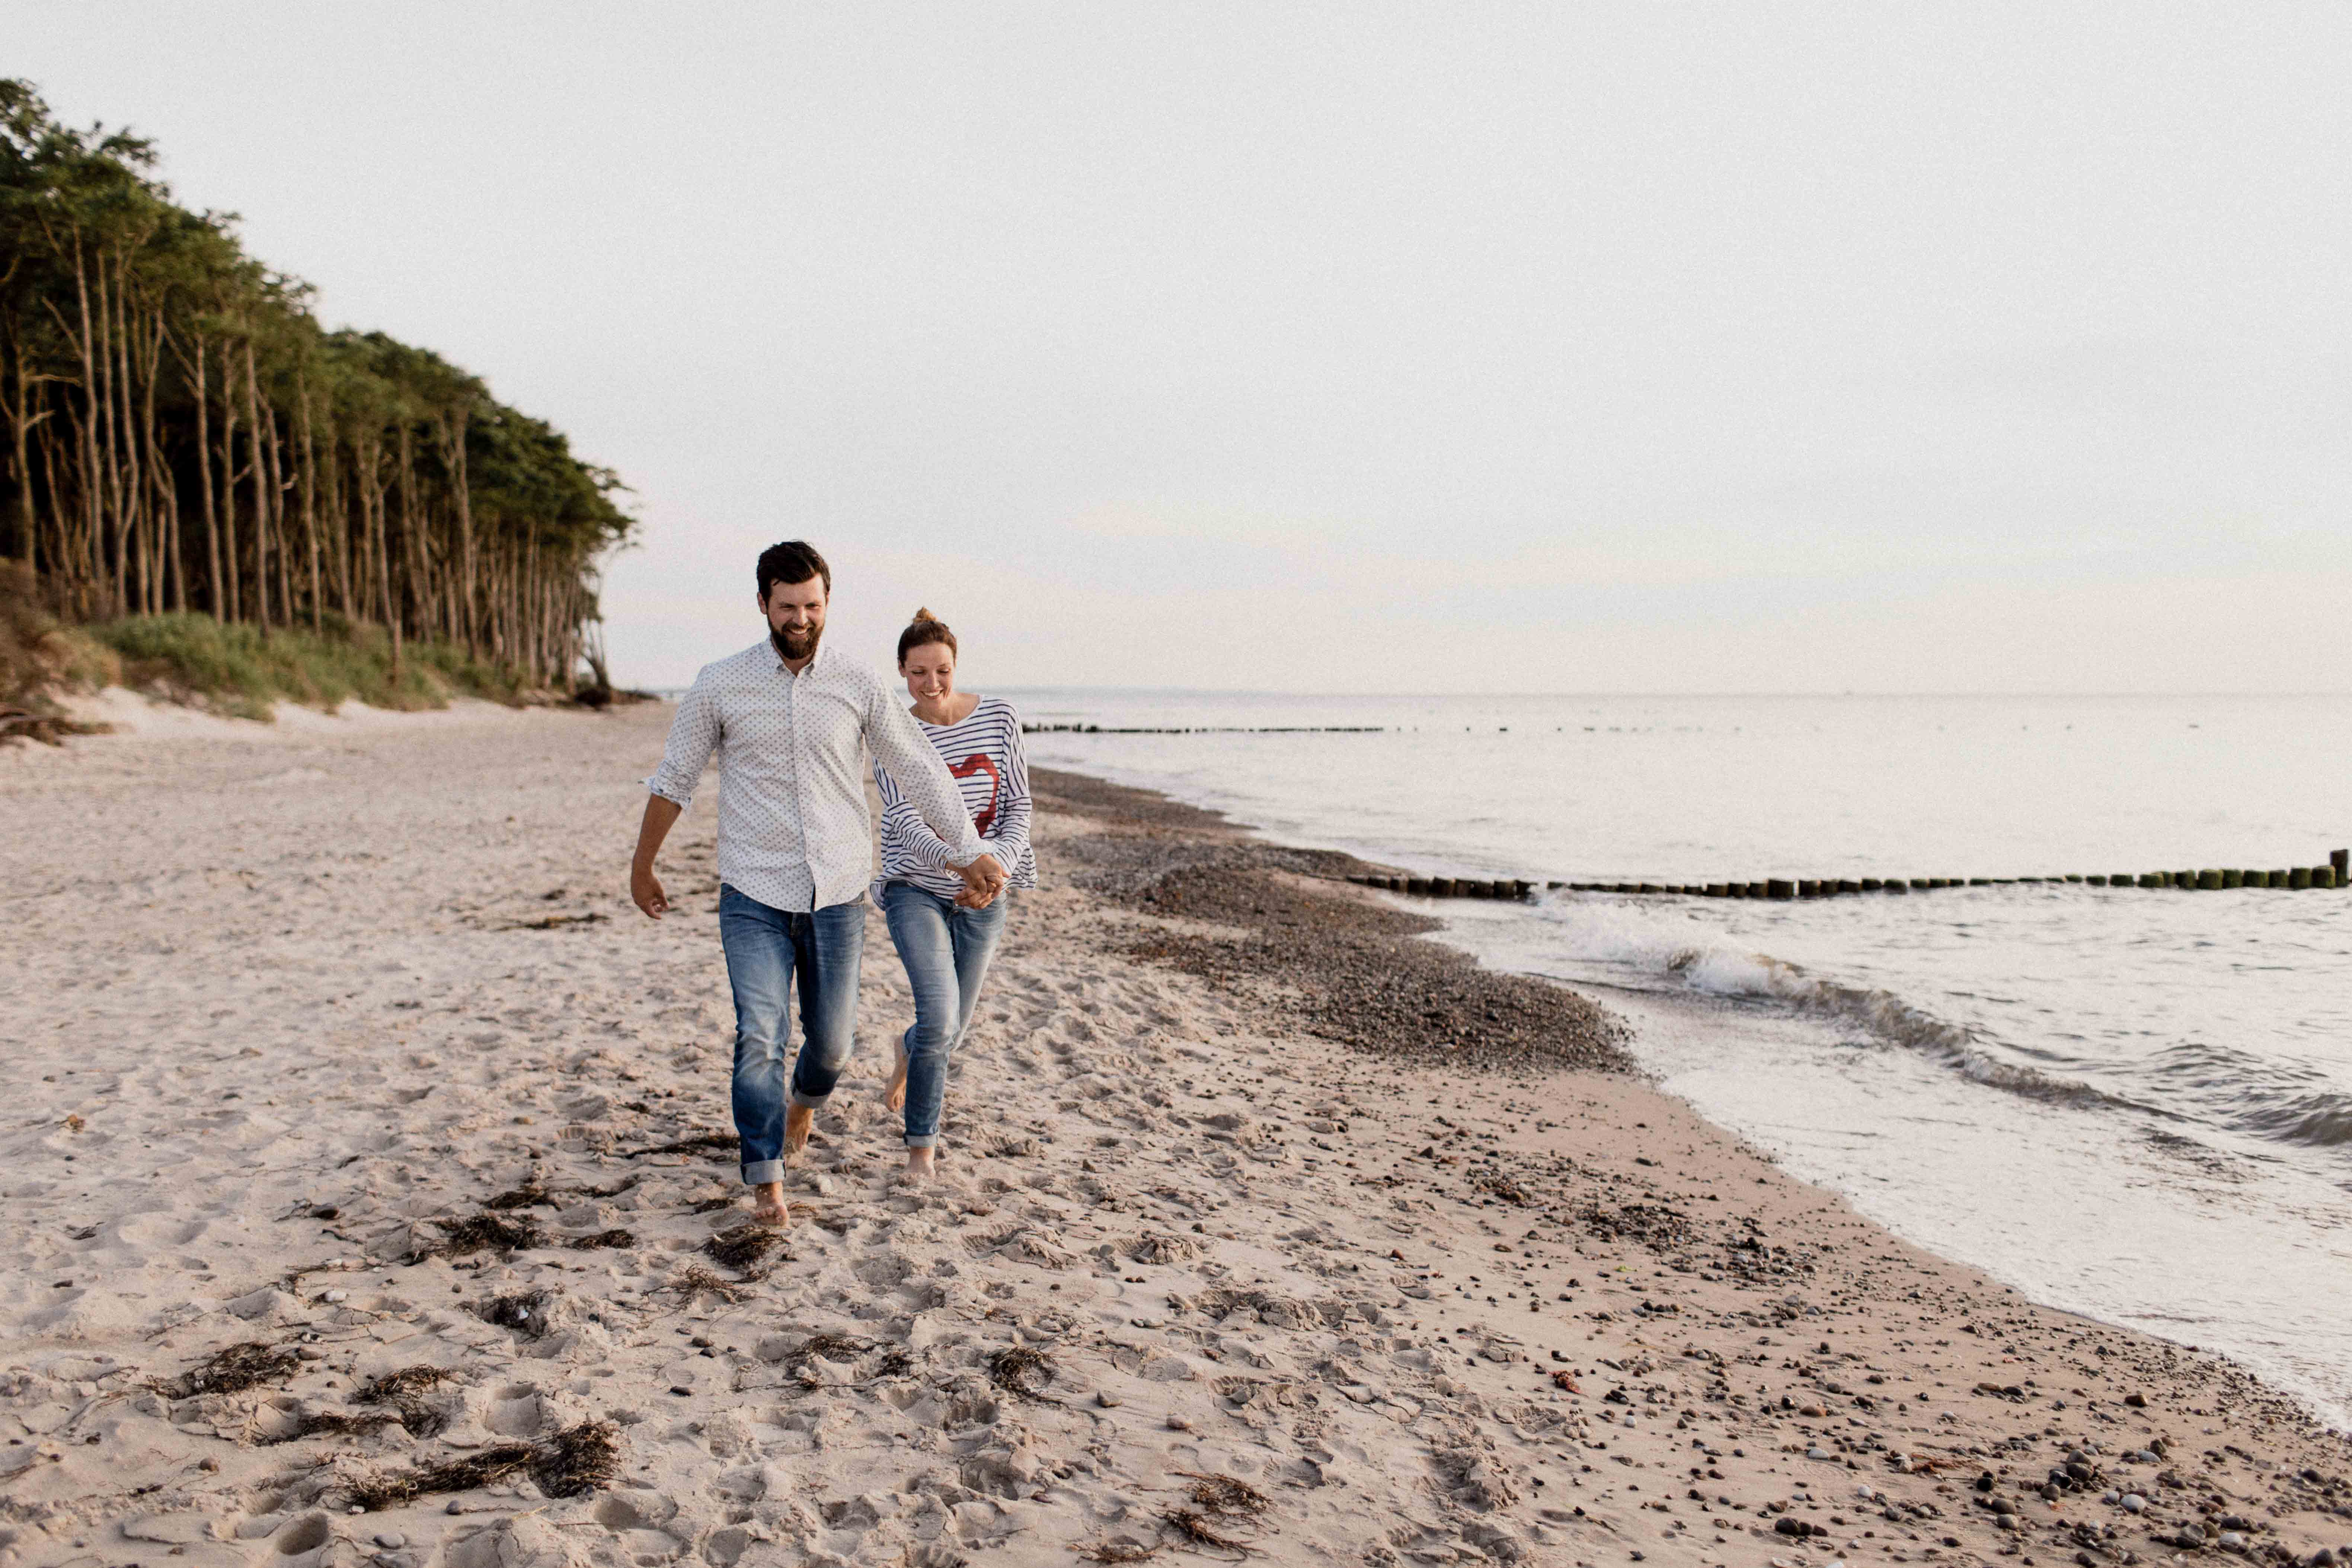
947 923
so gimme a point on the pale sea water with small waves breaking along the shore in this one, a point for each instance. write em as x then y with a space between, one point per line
2127 1104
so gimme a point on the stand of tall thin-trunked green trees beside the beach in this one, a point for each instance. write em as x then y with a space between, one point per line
185 436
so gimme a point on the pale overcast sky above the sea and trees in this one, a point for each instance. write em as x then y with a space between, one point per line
1361 349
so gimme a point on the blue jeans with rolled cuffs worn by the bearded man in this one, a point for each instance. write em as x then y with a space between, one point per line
768 953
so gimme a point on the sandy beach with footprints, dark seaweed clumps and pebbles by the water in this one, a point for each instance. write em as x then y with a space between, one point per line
370 1191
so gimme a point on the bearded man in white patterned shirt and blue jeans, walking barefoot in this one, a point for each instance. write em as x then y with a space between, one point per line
791 723
